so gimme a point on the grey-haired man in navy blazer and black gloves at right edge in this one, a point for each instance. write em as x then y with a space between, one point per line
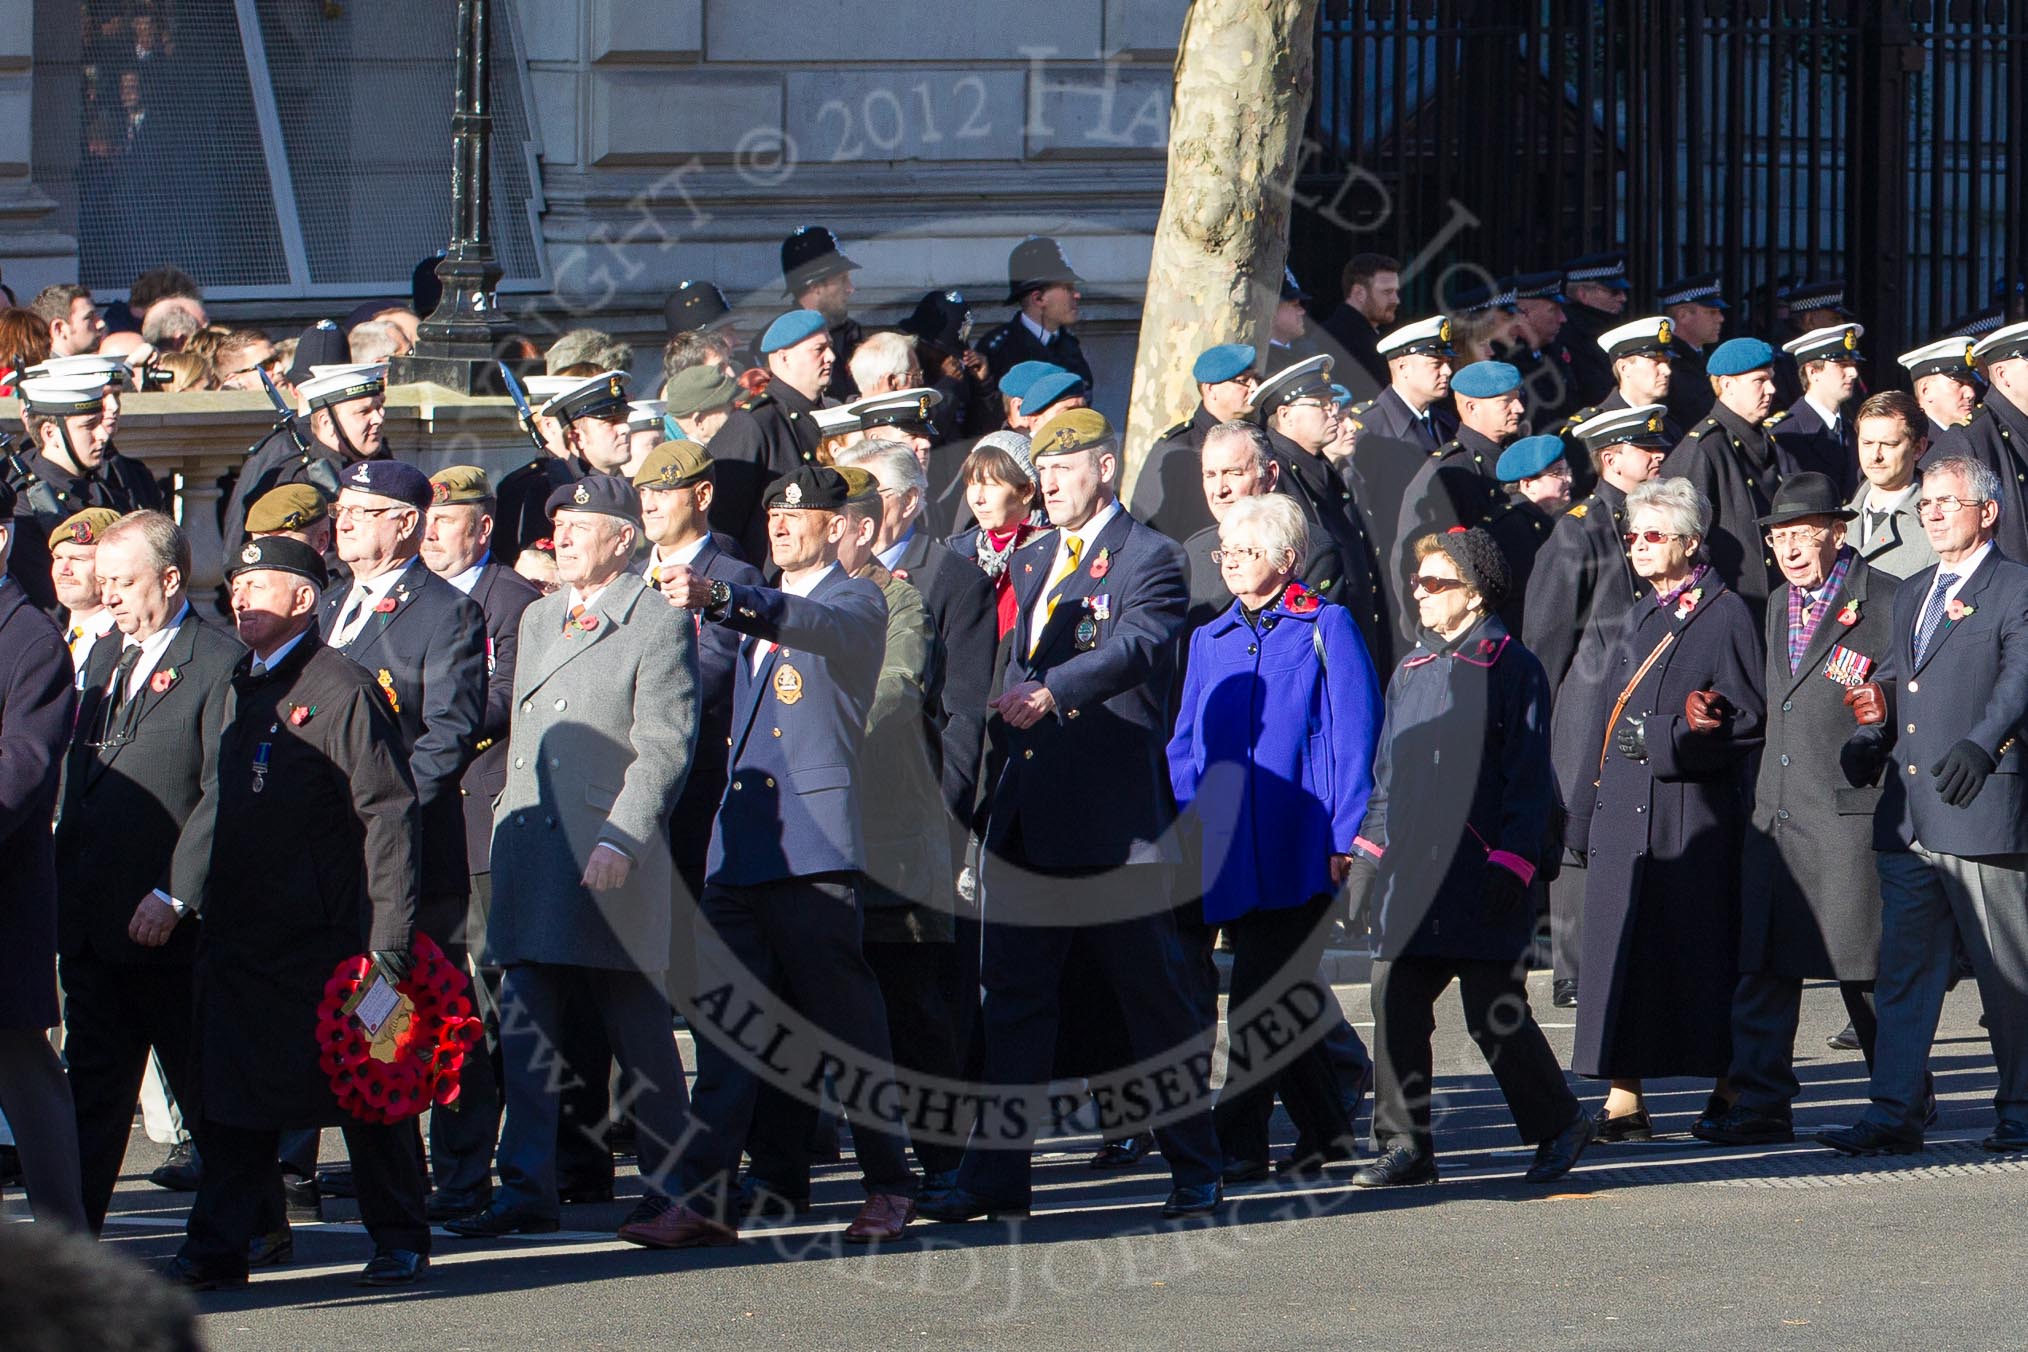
1944 723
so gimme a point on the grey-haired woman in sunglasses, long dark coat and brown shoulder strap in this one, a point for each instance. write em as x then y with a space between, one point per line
1666 820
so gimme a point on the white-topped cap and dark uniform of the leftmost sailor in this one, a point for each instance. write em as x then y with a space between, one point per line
48 492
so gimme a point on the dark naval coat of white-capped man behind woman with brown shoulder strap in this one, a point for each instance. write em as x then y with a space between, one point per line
1577 607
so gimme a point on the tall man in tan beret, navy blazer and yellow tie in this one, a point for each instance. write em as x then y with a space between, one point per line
1080 822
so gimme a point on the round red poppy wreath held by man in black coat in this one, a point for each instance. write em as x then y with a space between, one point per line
421 1051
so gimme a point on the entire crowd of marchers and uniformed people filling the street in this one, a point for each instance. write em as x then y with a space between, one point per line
849 706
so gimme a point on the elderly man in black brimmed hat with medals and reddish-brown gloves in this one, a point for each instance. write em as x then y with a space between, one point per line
1810 893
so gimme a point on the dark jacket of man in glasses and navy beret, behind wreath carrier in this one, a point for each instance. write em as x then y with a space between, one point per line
433 650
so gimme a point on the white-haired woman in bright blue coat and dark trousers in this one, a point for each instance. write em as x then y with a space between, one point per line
1275 757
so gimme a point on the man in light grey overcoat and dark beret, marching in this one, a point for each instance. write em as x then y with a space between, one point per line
605 723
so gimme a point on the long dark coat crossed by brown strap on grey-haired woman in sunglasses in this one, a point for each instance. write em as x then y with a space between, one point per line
1662 907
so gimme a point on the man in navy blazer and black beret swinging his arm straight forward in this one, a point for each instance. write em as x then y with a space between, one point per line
782 881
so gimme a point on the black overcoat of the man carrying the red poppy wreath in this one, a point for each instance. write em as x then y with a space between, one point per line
311 860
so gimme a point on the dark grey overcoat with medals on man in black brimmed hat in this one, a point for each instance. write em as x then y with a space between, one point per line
1810 893
